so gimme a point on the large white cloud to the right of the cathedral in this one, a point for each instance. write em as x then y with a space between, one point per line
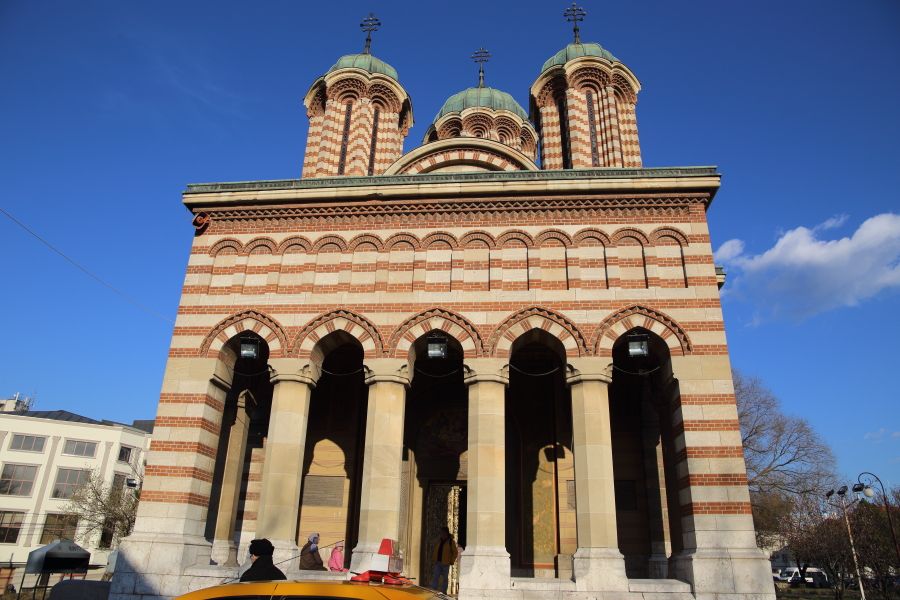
802 275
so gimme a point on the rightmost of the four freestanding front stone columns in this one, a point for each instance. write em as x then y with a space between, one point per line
598 564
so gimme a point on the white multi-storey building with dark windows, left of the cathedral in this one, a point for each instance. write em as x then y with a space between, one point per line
44 457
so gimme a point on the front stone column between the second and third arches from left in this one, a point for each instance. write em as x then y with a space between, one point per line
379 510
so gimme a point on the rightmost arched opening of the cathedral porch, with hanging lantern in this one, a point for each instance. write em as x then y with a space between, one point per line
647 512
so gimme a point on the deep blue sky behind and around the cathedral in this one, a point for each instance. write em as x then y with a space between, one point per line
107 110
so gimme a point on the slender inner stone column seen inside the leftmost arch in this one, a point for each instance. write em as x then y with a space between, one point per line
224 550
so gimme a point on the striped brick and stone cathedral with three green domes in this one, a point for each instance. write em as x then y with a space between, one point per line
513 330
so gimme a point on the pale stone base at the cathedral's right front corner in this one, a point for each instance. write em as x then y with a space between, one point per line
719 574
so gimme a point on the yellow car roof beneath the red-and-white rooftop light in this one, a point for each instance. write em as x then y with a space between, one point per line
315 589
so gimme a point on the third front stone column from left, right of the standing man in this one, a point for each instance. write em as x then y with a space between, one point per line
484 565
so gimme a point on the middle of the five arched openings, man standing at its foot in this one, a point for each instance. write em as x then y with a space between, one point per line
434 453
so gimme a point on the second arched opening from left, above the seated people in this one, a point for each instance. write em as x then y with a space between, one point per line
333 456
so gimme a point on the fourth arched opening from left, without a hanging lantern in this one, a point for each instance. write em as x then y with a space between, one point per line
540 470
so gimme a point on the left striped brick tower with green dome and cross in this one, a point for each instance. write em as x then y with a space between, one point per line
359 115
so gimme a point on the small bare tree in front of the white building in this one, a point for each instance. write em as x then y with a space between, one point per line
106 509
